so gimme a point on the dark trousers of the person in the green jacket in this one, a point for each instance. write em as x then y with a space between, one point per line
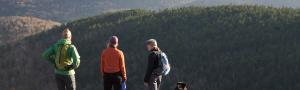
65 82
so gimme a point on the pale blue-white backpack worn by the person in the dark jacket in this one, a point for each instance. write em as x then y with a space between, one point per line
163 64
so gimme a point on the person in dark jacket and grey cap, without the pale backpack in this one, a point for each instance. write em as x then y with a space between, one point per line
152 79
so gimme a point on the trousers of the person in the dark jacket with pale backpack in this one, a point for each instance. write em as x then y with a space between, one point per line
154 83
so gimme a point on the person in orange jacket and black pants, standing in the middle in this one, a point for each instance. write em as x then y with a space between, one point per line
113 65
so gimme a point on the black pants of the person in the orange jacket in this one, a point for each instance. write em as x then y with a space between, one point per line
112 80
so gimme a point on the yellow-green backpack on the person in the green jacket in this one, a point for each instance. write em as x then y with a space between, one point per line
63 58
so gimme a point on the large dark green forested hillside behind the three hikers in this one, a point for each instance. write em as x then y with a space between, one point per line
210 48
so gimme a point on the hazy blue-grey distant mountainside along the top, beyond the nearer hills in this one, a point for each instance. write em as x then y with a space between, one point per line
66 10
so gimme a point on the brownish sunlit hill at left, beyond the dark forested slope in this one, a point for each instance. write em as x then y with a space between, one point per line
14 28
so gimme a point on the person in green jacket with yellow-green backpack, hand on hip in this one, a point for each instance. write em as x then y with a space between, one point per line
65 58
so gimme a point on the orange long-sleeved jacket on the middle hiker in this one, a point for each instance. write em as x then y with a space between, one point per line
112 61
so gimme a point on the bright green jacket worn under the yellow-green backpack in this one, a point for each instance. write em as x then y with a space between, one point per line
50 53
